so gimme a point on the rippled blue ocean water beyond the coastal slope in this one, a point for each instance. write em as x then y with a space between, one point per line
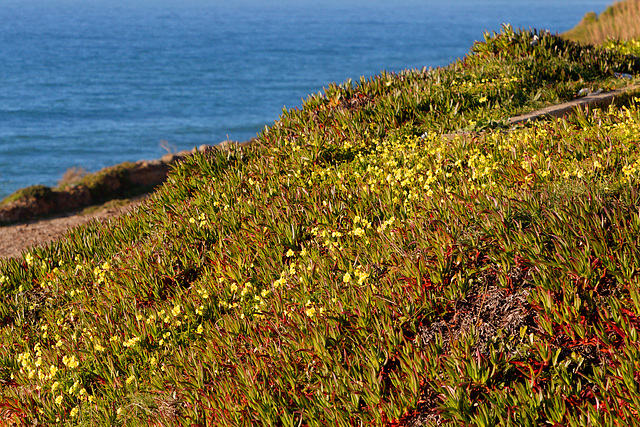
93 83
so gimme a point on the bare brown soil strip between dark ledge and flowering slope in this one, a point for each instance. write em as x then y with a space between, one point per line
14 239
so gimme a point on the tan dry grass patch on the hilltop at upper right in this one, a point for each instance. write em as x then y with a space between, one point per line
620 21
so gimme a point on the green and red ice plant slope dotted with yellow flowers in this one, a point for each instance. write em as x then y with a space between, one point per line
355 267
